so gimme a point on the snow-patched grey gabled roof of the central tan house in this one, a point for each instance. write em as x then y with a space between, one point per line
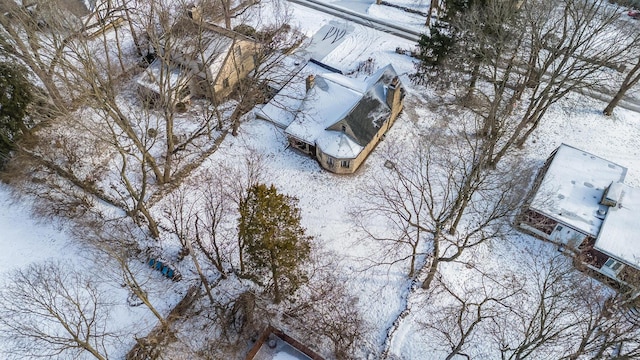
342 115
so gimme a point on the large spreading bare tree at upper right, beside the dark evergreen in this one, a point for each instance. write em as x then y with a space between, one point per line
521 57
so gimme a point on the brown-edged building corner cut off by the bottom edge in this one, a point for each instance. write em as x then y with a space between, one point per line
274 344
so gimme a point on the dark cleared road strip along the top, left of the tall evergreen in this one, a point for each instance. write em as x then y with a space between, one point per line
361 19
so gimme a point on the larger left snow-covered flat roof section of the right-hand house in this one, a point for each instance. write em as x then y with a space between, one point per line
573 186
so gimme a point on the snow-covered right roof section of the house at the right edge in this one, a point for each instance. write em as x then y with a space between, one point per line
620 232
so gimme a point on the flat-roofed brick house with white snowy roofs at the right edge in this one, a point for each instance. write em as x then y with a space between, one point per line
579 201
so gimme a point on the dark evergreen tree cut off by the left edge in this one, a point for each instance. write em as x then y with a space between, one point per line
15 97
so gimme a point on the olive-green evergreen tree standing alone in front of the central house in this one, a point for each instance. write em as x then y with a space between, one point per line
275 245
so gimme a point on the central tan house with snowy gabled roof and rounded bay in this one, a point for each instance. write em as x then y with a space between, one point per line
342 119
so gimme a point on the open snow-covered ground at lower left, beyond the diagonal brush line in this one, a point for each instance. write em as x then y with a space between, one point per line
26 239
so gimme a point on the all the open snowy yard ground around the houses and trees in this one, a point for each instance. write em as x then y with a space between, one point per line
329 205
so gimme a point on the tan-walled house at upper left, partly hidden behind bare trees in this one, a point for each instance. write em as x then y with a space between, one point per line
199 60
